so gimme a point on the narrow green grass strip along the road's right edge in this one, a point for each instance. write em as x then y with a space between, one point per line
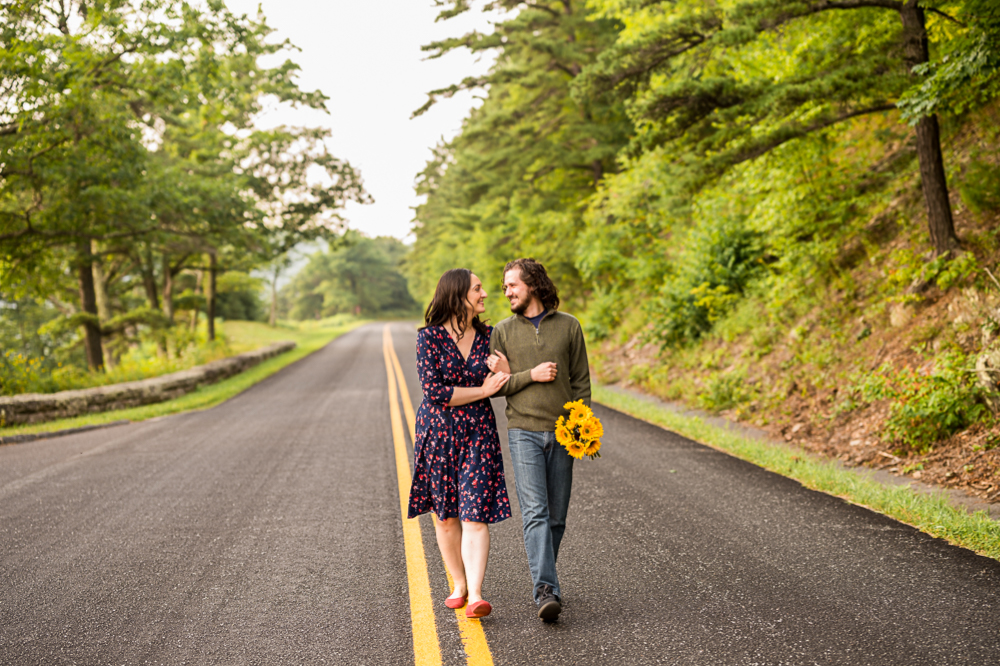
932 514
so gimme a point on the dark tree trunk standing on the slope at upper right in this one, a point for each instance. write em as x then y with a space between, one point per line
939 218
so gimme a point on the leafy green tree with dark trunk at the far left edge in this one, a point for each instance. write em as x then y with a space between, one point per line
70 154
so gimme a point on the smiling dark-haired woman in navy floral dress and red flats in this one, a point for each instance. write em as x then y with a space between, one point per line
458 468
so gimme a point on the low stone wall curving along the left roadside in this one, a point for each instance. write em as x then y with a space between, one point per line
38 407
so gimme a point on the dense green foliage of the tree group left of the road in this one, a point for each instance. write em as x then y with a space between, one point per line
134 180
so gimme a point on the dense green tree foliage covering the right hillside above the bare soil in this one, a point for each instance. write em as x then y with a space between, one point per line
771 127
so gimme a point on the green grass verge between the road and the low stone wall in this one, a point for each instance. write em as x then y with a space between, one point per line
243 336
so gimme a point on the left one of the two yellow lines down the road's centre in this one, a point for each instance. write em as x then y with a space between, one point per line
426 648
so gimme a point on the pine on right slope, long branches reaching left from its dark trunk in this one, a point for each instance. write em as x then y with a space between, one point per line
722 84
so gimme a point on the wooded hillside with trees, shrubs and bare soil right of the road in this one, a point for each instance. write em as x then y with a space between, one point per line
784 212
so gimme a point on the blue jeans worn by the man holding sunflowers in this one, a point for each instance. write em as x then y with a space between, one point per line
543 477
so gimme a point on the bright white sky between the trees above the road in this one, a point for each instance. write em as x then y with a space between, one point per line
365 56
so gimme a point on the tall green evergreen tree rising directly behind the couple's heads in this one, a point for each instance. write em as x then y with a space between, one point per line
513 181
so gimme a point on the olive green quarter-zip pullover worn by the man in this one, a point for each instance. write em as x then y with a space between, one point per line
531 405
